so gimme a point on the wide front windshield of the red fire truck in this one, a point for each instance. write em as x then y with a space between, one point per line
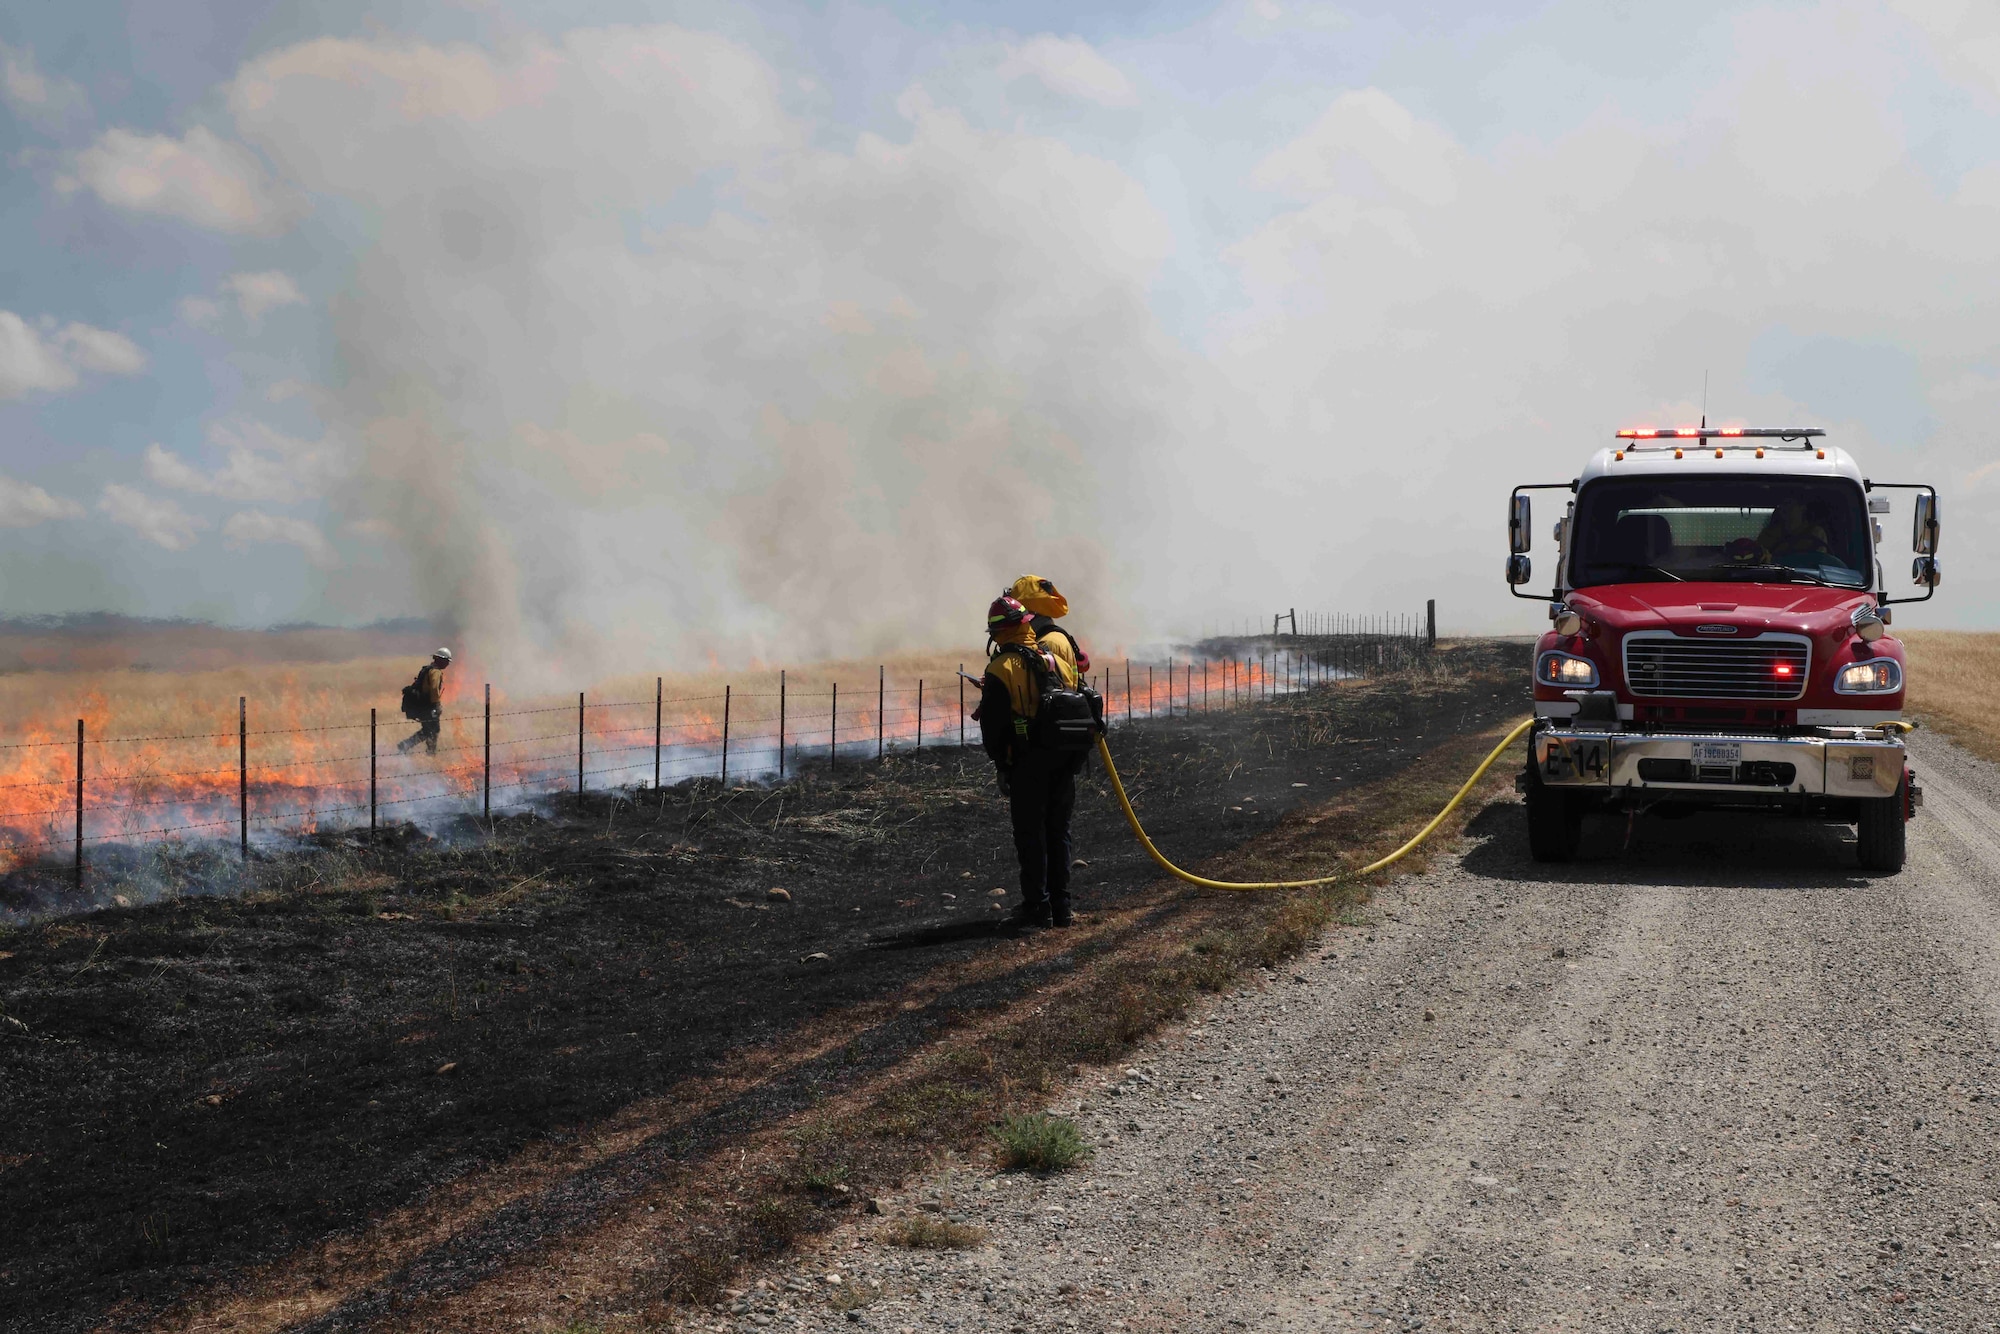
1721 529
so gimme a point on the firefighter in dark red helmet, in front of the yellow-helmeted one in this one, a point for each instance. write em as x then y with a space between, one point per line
1041 785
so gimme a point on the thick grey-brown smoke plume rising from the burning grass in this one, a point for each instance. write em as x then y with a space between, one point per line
641 369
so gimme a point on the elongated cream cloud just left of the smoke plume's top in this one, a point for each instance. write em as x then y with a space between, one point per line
197 179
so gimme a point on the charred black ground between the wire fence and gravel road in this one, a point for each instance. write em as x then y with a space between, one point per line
211 1083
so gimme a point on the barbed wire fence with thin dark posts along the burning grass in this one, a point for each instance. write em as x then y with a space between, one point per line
513 759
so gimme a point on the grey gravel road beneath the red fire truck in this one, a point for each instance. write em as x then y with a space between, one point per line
1719 1081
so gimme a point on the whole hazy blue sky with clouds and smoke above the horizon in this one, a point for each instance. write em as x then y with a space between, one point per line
619 333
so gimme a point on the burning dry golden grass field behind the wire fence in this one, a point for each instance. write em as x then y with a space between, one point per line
163 751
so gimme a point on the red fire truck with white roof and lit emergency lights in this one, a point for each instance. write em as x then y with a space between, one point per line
1721 639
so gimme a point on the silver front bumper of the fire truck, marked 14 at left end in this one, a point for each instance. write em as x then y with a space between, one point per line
1845 763
